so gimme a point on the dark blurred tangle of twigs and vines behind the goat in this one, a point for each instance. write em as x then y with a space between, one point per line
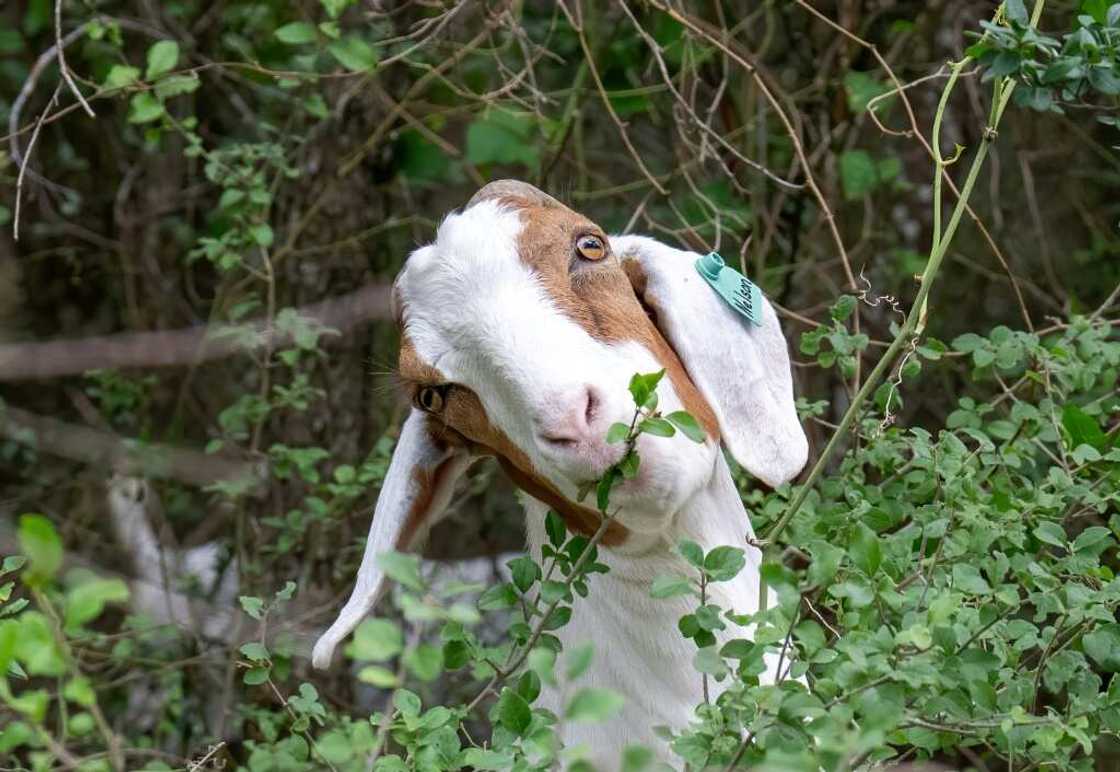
197 347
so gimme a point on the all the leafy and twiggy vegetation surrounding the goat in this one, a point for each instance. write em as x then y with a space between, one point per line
197 397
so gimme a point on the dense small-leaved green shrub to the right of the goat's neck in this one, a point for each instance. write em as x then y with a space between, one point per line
957 589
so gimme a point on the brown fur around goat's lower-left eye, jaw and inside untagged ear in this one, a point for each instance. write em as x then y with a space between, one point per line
463 422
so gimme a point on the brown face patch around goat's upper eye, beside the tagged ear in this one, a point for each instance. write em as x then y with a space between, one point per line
602 296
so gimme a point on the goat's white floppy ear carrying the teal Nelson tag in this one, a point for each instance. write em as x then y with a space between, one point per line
742 370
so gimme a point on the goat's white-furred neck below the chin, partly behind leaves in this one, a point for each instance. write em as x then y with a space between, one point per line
639 650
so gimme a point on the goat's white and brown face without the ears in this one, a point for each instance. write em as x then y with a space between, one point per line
520 334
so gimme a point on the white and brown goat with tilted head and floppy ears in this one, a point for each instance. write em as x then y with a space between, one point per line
521 327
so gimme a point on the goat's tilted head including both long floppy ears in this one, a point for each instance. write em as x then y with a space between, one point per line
521 327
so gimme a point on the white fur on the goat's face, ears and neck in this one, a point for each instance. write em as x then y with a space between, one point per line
475 312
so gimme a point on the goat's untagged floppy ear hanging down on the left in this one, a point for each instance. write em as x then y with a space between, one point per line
417 489
